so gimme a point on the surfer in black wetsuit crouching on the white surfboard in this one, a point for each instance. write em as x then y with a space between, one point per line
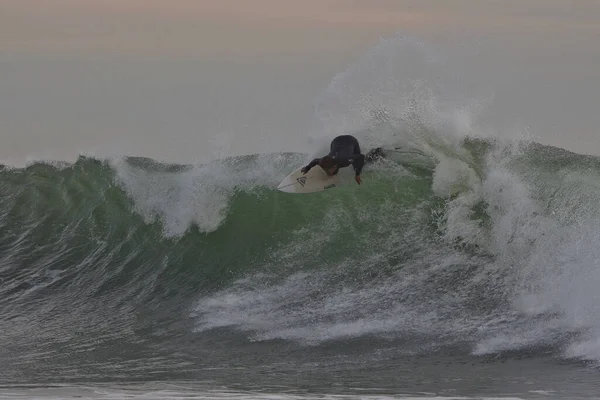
344 151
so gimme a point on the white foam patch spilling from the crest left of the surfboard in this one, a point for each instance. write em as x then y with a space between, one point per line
199 195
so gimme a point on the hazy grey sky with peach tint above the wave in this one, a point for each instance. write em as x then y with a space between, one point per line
192 80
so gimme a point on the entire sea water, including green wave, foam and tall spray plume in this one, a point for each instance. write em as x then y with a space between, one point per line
465 266
